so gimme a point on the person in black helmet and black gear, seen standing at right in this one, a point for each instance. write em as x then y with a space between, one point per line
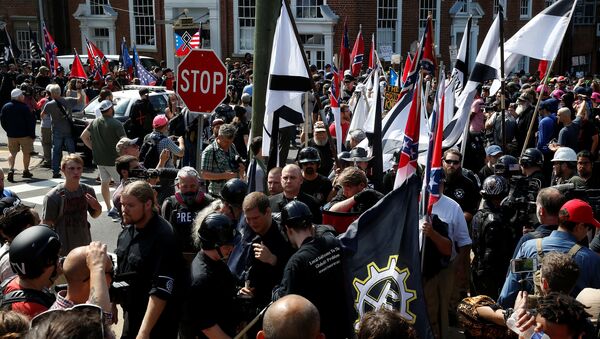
493 238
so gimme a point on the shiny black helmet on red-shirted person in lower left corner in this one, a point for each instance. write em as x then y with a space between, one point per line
32 250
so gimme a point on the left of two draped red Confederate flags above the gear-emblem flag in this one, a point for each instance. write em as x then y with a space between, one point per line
409 153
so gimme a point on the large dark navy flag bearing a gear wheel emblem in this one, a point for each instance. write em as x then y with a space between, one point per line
382 261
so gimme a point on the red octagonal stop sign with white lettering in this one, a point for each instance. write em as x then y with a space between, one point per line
202 80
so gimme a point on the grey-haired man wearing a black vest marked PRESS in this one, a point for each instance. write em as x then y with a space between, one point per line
181 208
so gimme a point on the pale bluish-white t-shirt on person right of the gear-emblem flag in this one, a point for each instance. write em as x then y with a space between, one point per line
449 211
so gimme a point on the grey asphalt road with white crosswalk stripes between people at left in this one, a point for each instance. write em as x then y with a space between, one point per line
32 191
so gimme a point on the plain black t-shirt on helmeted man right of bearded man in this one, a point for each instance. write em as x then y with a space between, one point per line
211 298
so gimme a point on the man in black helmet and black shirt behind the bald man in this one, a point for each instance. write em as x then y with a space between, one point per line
313 183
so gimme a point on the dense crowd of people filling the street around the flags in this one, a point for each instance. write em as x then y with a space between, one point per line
208 247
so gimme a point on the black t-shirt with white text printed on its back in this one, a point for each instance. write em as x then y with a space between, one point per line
315 272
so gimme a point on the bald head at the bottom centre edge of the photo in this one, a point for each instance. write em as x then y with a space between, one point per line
291 317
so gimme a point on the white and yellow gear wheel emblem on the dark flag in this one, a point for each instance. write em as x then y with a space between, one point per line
384 287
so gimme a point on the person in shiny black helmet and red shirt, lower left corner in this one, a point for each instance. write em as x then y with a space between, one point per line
34 257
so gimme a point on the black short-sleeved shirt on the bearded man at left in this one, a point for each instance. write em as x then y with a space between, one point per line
152 259
